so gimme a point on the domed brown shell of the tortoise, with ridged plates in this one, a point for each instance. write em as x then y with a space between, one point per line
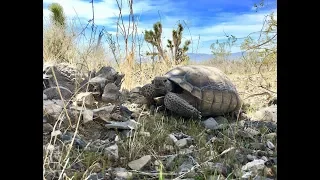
213 92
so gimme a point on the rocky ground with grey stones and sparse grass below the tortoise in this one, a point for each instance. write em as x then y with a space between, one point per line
92 130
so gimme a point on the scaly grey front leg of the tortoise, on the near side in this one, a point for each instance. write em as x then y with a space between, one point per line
179 106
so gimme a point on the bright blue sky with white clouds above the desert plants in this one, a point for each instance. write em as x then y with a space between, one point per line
210 19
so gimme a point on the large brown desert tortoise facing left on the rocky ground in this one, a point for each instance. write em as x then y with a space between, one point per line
194 91
